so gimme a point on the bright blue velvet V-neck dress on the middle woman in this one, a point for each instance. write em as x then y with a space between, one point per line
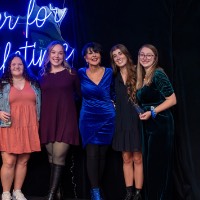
97 115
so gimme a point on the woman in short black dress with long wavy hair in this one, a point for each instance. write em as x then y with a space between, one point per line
127 135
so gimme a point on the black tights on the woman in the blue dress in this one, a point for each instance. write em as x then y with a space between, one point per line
96 157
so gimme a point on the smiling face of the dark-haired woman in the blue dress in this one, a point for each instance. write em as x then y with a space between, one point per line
93 58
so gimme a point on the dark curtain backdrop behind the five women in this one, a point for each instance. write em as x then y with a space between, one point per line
173 26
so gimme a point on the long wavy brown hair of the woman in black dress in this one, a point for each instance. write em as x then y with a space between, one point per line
131 70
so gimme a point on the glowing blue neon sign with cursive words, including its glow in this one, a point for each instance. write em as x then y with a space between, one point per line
37 18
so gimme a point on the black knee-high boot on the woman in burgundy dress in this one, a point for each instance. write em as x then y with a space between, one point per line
56 172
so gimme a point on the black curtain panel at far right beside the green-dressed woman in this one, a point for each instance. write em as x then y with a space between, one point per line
186 31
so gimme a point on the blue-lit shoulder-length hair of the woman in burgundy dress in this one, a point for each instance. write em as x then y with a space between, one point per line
46 65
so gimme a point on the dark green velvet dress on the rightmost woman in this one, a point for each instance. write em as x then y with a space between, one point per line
158 137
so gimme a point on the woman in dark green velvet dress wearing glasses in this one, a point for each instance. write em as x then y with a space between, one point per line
155 95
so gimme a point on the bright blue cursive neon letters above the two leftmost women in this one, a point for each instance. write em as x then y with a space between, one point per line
39 20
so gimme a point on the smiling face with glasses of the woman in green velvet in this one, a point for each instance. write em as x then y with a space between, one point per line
146 57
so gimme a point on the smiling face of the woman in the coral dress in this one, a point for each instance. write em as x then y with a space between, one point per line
16 67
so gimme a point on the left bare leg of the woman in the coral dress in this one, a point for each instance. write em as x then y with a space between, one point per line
7 170
